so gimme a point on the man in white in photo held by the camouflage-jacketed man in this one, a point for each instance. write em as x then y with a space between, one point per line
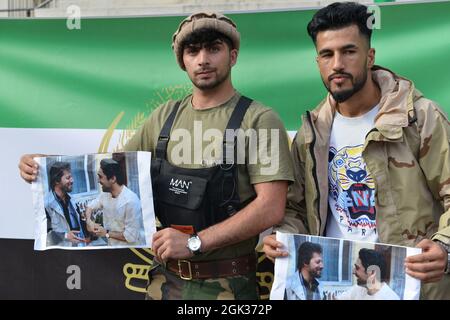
370 272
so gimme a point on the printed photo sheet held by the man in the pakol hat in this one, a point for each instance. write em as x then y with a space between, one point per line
94 201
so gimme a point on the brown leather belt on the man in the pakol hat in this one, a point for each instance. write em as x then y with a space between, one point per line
188 270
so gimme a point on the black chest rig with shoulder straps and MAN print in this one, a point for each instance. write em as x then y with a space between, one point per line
191 200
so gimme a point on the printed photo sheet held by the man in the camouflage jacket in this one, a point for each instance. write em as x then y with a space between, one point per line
338 269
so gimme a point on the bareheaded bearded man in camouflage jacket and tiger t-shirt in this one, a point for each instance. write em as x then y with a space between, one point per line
372 161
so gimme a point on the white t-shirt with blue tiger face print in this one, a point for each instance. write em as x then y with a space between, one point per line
352 193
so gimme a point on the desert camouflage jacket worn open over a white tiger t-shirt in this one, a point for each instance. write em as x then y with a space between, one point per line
408 155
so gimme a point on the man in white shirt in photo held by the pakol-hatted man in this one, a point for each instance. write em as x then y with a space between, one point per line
122 215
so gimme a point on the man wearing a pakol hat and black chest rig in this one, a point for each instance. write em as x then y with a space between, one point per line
212 195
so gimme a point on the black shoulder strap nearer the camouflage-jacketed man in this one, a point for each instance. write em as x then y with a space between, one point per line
229 145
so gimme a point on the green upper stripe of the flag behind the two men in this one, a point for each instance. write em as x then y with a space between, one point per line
52 77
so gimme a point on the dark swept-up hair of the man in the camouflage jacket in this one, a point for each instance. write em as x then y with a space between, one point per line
340 15
